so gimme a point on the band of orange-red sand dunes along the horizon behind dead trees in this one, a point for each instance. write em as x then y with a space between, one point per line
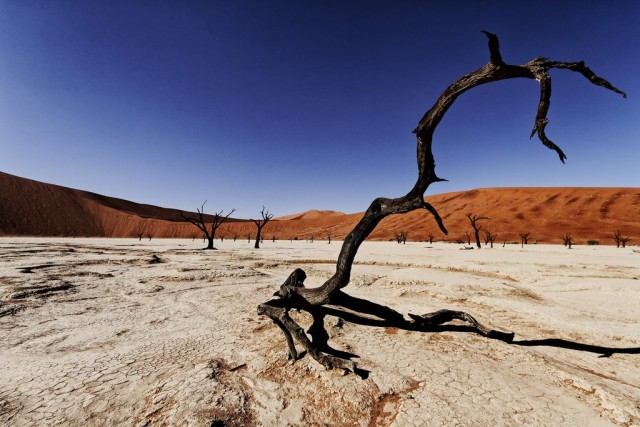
31 208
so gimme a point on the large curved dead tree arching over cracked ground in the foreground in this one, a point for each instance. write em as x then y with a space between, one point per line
330 299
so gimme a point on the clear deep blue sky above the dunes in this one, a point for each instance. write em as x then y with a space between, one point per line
301 105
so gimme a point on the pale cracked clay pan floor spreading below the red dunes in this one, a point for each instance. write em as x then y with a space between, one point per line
129 341
